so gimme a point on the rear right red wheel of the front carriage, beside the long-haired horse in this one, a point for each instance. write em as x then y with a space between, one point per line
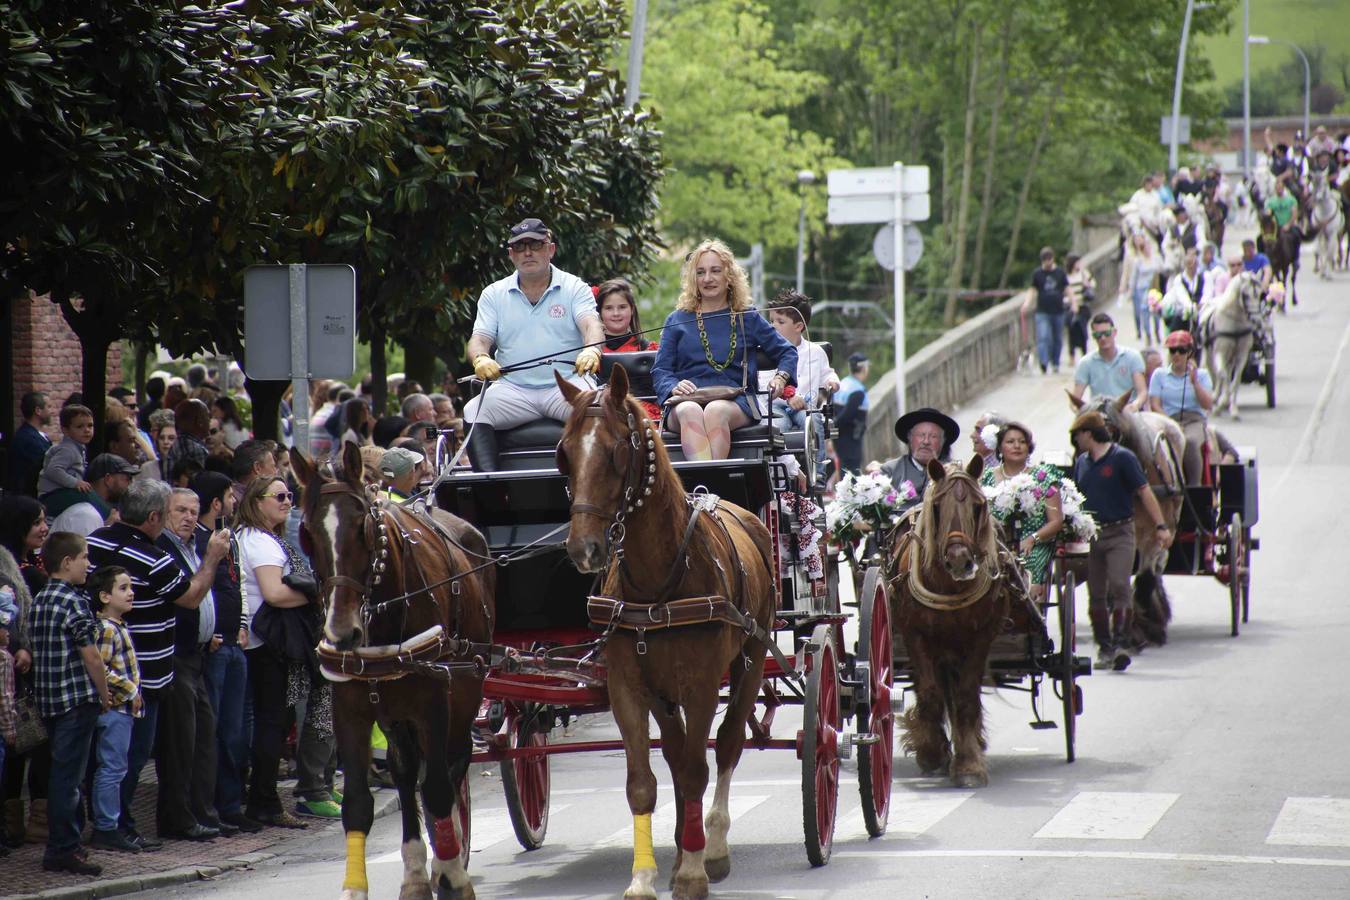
877 719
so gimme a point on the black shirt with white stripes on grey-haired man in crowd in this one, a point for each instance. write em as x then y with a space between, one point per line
159 582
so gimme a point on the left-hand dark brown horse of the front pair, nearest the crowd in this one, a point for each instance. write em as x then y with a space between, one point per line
410 613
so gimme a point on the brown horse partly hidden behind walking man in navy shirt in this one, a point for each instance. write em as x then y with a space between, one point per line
1160 445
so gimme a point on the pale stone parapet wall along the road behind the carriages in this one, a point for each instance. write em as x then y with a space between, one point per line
970 357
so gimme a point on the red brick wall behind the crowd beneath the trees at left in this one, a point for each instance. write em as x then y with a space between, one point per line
47 356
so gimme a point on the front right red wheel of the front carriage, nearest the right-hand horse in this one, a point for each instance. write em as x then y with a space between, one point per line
819 747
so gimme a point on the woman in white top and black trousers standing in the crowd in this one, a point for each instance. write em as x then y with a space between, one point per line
265 561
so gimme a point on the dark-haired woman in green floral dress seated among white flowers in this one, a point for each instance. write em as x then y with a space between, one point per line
1032 496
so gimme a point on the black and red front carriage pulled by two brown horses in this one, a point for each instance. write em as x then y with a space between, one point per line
553 669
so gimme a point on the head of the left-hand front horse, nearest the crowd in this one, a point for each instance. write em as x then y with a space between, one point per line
341 534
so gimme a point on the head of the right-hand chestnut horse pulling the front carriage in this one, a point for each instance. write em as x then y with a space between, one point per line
614 459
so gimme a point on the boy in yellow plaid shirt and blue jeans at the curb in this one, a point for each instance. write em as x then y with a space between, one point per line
110 589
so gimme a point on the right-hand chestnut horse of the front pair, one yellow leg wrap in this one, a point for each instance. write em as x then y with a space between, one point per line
686 601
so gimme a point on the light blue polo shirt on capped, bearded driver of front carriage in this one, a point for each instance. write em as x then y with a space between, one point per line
526 331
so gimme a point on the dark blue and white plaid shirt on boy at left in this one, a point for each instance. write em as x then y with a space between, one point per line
60 624
